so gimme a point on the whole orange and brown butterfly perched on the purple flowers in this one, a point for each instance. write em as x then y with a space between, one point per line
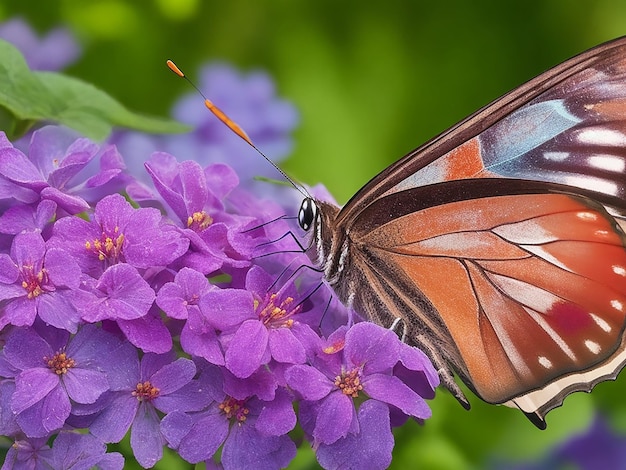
498 247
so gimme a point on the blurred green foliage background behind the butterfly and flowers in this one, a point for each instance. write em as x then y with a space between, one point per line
372 80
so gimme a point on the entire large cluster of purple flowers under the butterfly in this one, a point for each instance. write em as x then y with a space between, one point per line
164 322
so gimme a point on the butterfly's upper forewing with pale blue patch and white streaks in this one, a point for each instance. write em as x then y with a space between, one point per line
566 126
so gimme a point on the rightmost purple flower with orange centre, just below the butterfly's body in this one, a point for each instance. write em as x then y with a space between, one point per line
363 364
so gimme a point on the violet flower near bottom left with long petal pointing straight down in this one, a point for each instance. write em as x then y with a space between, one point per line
157 383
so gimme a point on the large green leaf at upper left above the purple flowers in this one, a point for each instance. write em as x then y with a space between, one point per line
30 97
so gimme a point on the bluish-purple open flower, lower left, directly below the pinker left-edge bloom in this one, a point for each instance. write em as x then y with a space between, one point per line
54 371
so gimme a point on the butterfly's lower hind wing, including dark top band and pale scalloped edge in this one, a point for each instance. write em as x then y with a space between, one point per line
520 286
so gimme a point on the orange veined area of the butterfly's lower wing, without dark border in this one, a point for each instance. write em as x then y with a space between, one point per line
530 287
